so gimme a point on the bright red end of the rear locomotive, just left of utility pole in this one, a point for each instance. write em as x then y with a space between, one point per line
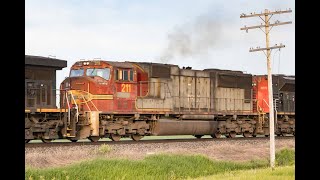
261 91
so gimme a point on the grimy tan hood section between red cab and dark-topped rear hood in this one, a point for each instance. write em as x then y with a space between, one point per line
173 89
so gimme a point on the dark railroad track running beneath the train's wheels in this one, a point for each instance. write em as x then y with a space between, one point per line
56 144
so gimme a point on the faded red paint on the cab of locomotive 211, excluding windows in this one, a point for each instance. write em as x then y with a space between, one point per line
124 93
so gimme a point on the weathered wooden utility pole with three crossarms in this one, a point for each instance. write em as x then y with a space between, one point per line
266 26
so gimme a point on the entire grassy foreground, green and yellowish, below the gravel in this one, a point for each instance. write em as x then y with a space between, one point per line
168 167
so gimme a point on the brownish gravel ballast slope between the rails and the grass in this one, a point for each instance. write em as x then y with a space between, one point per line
242 150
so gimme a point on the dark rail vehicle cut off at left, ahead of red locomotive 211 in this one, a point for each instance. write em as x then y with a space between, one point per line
43 120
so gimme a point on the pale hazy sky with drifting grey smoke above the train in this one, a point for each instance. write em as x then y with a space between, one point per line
201 34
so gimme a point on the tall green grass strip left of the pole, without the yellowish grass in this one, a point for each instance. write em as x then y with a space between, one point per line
152 167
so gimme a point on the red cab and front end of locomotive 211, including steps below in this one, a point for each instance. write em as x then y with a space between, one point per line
94 90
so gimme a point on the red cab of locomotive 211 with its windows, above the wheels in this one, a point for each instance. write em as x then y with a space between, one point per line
111 86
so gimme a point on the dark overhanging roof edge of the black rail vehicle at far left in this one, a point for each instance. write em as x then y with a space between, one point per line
45 61
